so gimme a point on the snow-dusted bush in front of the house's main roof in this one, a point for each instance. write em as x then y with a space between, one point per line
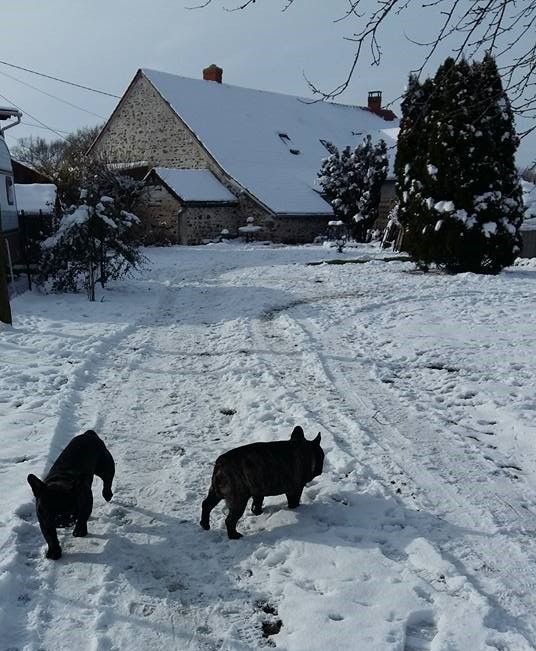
352 182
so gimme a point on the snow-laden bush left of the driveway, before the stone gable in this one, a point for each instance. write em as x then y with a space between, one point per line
95 240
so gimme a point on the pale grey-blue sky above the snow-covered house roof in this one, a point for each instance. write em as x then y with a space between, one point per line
102 44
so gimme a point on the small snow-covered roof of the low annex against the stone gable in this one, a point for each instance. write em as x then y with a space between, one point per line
195 185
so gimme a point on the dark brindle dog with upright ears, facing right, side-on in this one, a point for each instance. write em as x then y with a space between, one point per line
261 469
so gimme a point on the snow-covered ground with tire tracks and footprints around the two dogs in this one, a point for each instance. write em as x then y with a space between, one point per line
420 534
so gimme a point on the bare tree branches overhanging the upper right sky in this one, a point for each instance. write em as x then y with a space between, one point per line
504 28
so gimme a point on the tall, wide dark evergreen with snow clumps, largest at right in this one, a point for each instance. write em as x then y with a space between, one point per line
458 188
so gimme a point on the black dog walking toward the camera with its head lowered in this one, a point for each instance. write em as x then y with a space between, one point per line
65 497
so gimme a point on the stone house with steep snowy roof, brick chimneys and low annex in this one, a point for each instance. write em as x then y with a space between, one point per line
214 155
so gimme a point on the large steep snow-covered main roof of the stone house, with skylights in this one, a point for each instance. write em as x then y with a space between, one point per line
269 142
